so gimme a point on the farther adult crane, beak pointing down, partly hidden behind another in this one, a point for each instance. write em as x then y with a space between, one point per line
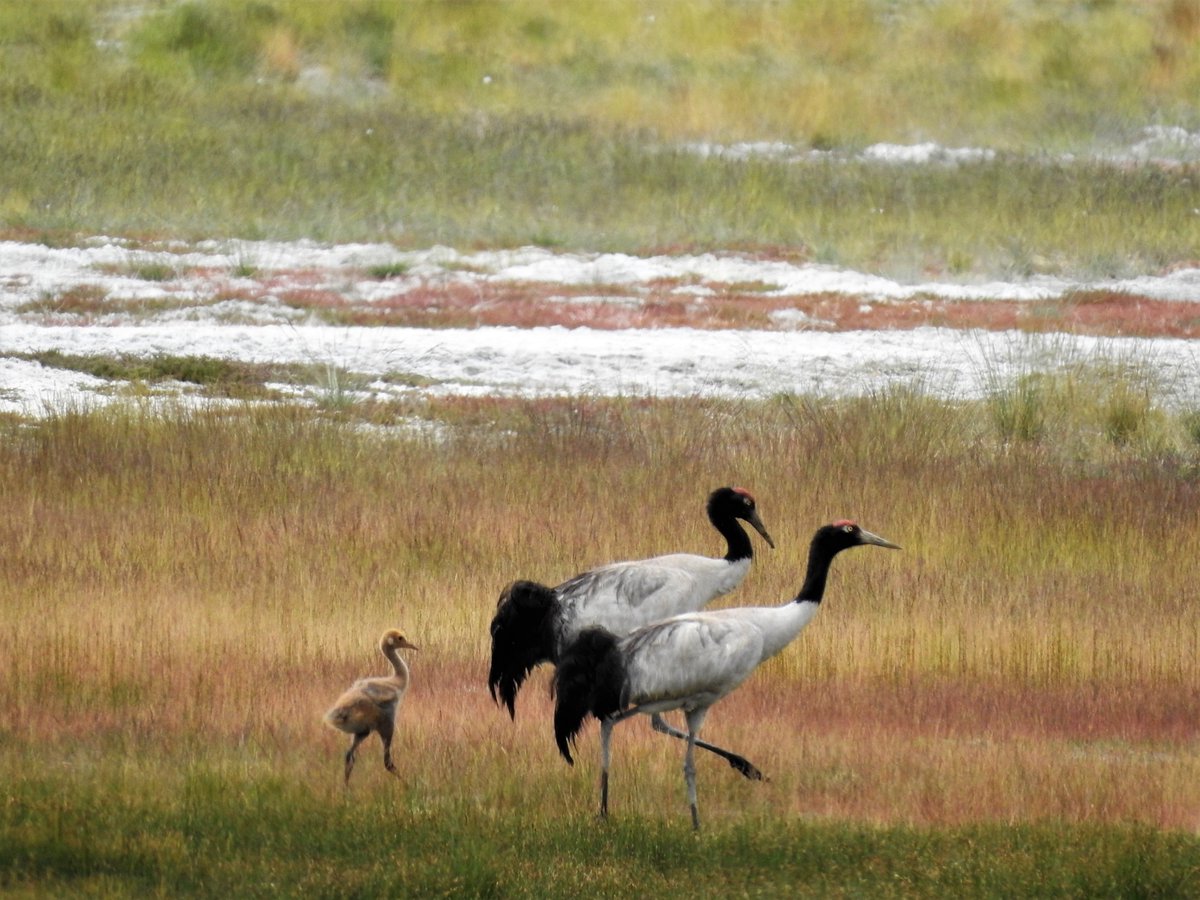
535 623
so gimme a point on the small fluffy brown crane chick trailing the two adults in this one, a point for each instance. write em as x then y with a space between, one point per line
371 704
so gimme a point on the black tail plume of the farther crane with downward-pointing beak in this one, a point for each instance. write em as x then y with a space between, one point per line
523 638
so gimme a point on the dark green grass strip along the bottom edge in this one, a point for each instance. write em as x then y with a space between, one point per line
212 833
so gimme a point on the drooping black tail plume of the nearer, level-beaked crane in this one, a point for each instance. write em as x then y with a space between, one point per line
591 679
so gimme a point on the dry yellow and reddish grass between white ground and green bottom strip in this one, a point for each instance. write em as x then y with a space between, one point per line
193 590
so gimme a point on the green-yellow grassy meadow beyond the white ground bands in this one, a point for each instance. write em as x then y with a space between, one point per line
574 125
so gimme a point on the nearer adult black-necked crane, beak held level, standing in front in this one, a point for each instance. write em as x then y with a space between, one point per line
687 662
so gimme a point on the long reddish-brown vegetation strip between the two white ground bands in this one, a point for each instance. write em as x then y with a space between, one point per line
668 304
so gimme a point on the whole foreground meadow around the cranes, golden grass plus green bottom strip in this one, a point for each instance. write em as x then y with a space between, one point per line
1006 707
